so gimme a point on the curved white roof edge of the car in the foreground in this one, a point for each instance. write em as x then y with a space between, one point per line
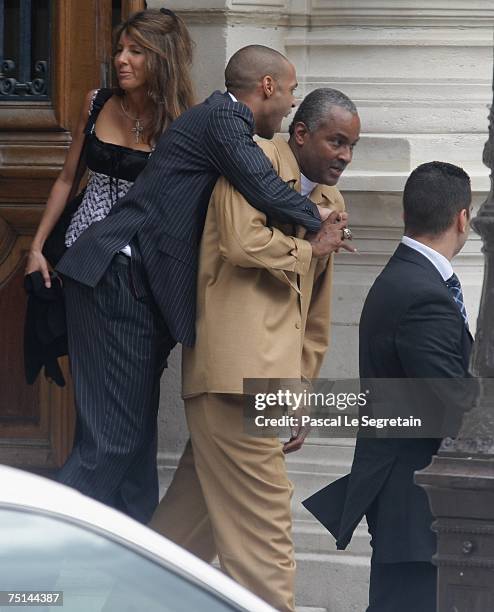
25 490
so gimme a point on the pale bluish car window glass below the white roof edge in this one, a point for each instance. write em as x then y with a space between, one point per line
95 573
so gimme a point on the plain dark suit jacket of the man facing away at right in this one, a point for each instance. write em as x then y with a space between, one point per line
410 327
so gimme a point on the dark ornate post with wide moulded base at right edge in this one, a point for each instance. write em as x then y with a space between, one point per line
460 480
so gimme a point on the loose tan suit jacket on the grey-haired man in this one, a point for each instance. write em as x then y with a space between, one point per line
263 302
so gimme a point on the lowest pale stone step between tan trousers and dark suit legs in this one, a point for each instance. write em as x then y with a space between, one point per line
335 582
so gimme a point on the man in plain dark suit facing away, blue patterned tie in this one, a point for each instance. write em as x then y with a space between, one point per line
413 326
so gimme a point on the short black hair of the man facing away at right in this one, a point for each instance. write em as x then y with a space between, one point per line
434 194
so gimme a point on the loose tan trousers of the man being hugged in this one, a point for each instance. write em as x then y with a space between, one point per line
230 496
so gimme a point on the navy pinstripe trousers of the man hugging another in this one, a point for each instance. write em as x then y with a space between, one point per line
118 346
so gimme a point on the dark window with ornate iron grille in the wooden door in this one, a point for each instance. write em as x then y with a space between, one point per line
25 36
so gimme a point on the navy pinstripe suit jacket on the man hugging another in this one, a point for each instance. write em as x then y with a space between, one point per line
164 211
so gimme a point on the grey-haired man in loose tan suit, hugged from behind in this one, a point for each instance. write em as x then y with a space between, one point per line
263 311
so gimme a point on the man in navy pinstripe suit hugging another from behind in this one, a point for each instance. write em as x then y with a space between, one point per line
151 305
